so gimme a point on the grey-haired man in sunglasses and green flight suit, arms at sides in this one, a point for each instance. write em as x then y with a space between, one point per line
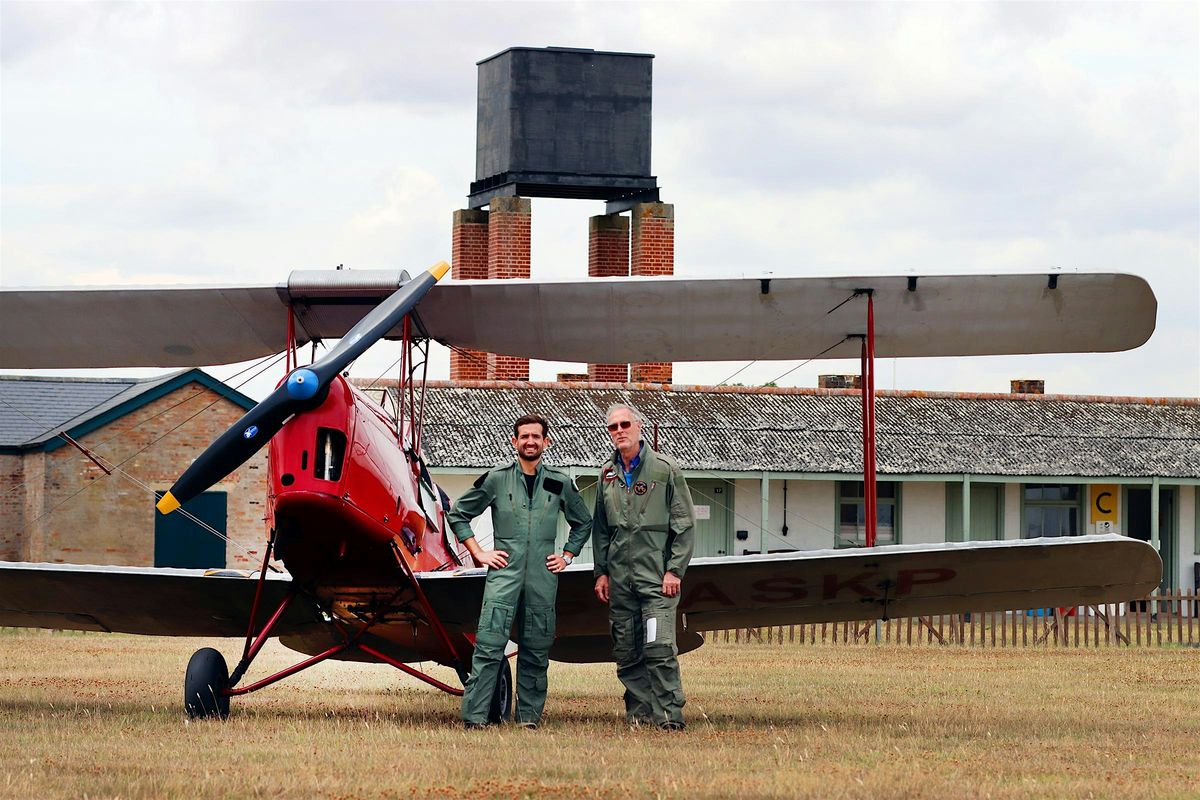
644 526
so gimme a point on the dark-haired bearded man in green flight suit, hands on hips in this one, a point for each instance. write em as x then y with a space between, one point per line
526 498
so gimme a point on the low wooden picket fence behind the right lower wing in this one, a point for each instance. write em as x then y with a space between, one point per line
1169 619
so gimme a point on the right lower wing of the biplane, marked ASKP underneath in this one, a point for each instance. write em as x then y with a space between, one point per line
889 582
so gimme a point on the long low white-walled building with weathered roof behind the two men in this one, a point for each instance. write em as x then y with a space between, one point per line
781 470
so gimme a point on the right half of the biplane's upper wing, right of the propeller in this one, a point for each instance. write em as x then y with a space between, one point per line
734 320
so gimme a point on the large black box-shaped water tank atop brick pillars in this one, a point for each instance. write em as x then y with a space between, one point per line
563 123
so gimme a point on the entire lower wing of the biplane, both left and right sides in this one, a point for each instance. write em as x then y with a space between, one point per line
718 593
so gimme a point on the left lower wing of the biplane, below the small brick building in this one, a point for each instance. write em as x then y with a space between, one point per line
141 600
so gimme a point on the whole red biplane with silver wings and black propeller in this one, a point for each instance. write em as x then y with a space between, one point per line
373 573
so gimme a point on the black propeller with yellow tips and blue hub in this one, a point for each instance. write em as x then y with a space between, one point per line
305 389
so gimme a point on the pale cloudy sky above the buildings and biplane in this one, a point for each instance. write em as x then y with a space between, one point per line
236 142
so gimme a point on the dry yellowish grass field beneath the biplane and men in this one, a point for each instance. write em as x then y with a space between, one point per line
100 717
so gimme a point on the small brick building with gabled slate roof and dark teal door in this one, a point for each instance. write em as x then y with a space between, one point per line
58 506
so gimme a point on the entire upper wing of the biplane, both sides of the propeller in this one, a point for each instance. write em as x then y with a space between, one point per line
599 320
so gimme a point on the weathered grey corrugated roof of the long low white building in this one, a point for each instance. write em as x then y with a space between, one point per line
819 431
